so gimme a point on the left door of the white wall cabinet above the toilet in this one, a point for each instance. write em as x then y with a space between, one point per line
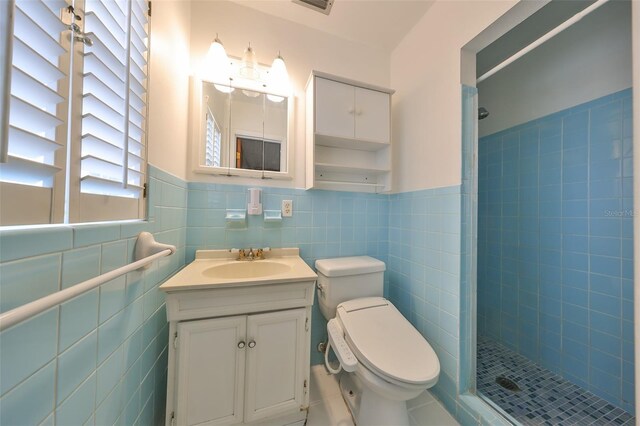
334 108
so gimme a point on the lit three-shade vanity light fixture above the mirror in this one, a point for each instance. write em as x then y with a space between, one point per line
228 74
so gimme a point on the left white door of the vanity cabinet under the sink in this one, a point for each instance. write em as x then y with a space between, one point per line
210 373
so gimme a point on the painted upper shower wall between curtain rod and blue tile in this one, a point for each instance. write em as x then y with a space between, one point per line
588 60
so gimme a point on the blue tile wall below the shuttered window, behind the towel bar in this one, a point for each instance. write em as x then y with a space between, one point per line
101 357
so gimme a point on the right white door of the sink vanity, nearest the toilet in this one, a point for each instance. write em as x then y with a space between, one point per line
276 364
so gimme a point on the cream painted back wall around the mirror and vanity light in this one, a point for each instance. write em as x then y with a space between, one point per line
304 49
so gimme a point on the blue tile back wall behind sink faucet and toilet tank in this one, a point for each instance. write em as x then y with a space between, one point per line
324 224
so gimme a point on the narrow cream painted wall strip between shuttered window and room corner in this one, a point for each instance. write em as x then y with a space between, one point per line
169 86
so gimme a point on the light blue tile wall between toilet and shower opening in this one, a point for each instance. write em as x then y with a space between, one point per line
424 274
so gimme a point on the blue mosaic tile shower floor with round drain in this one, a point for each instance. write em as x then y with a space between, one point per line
545 398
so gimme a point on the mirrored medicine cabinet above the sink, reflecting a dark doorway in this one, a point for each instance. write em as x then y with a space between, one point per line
243 131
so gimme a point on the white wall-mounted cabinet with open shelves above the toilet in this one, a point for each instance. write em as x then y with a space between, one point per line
348 135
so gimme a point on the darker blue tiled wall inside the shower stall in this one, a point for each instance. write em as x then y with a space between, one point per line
555 244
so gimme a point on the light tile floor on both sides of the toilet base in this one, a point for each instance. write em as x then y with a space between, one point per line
327 408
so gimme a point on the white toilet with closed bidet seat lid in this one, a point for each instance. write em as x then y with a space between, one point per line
387 360
